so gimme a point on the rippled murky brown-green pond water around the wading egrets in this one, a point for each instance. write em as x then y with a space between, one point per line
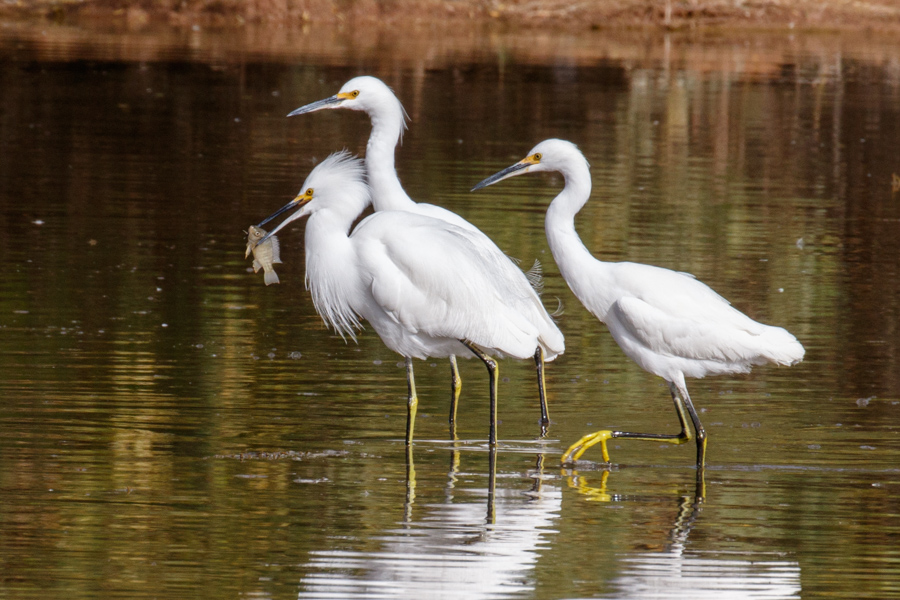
170 427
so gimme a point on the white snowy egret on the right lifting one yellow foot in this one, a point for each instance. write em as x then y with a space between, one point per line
667 322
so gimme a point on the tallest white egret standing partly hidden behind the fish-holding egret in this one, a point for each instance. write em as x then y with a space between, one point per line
375 98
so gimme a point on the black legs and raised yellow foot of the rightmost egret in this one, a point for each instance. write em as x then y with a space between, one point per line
683 405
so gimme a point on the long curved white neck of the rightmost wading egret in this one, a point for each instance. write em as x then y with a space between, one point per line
584 274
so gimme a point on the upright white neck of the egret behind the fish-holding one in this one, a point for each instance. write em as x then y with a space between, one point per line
387 127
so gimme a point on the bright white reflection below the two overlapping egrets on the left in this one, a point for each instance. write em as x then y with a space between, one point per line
450 549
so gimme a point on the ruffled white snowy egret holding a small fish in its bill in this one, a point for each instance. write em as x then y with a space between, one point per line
424 285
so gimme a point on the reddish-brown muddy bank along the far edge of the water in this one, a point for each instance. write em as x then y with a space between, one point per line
826 15
